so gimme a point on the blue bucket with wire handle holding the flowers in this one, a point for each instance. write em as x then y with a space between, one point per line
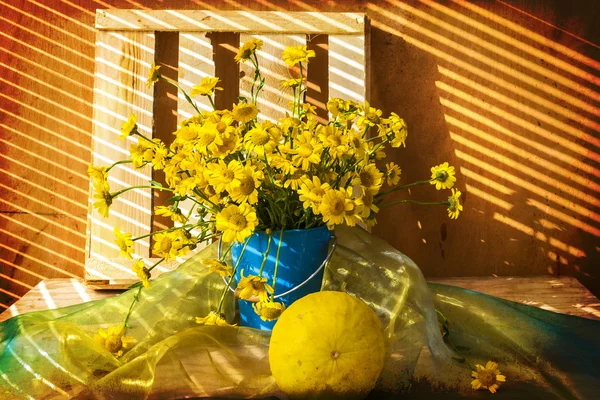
302 253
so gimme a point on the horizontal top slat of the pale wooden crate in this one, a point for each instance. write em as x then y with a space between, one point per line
230 21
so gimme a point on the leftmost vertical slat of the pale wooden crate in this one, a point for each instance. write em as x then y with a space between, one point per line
122 64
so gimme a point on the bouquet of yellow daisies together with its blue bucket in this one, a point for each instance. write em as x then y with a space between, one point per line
248 179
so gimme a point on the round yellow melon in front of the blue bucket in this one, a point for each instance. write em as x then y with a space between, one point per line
327 345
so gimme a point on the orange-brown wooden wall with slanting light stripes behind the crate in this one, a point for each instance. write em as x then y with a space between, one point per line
507 91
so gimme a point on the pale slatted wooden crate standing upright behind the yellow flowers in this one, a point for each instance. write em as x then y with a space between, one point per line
190 44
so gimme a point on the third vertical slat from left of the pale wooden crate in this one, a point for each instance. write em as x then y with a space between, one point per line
273 100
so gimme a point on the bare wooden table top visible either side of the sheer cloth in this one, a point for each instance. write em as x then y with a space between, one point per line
560 294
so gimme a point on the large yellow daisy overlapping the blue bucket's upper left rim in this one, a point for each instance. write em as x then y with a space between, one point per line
236 222
